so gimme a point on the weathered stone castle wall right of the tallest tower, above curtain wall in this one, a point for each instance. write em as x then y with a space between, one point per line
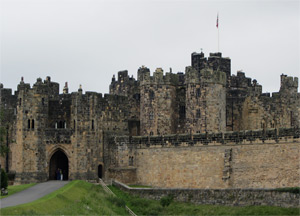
248 109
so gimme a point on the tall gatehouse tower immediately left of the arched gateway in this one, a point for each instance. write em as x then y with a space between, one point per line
32 119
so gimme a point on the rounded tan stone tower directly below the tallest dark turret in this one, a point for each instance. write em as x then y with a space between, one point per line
205 100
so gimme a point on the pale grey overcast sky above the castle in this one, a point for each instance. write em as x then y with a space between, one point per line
87 41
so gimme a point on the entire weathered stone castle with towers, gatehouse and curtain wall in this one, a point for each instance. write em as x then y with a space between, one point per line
204 128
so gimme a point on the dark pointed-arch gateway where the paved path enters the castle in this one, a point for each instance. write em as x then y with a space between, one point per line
59 160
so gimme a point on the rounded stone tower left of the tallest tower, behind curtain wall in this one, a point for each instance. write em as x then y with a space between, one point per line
157 103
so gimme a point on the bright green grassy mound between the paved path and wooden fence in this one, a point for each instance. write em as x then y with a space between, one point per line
75 198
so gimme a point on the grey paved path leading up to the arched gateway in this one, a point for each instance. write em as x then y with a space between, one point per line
32 193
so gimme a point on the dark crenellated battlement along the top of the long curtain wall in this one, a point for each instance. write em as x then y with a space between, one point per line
227 138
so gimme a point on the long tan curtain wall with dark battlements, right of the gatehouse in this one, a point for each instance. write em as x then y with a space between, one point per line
248 159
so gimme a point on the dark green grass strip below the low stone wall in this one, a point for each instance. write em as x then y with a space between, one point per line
153 207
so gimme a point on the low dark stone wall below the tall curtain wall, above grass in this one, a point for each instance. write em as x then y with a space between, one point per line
230 197
